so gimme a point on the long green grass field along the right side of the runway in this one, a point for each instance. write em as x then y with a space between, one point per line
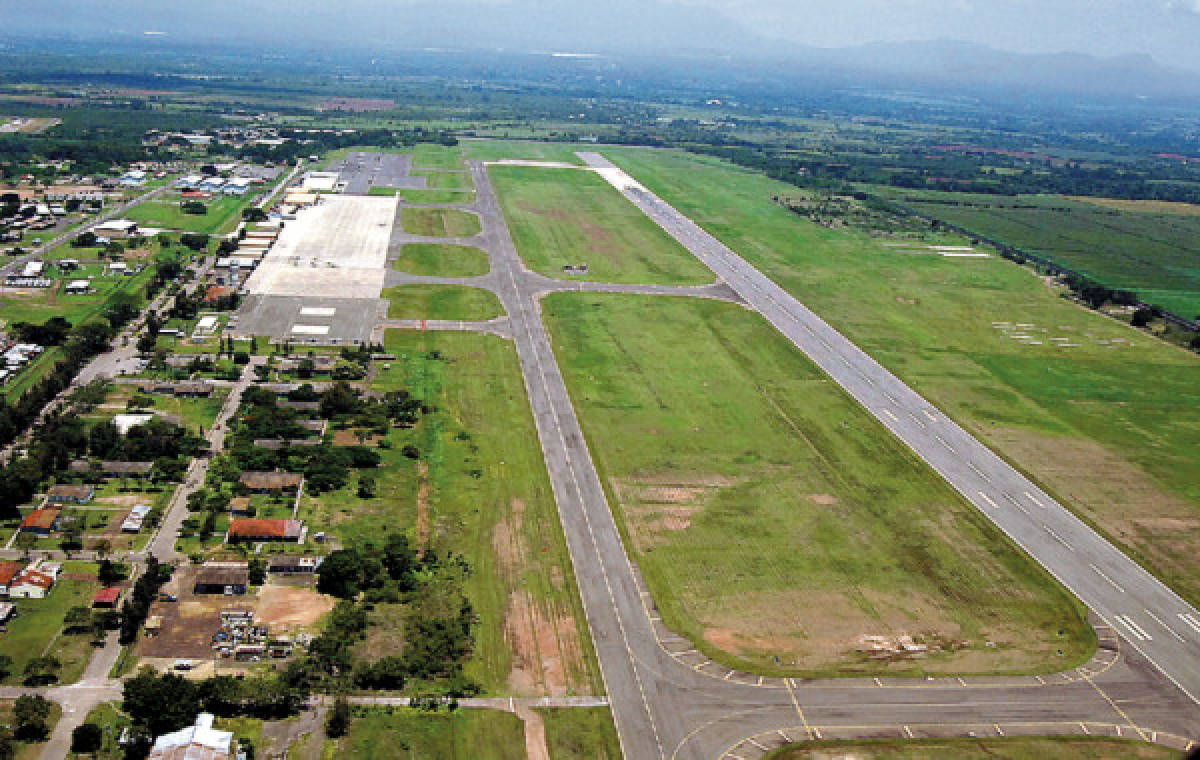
1084 421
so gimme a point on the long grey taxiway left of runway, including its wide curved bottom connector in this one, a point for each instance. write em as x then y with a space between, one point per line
670 702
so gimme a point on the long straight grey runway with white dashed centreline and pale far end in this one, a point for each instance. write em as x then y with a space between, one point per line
1150 618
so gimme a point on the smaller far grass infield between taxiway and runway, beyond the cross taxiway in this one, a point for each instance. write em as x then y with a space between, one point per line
563 218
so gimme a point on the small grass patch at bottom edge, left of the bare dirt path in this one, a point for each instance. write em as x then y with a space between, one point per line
409 735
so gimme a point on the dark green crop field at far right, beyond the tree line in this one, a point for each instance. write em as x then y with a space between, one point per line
1125 246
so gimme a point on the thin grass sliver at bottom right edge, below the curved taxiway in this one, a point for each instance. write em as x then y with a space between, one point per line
977 750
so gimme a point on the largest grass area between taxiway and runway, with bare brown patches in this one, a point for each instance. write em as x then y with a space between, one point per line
773 518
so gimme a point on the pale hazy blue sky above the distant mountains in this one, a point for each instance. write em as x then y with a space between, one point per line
1169 31
